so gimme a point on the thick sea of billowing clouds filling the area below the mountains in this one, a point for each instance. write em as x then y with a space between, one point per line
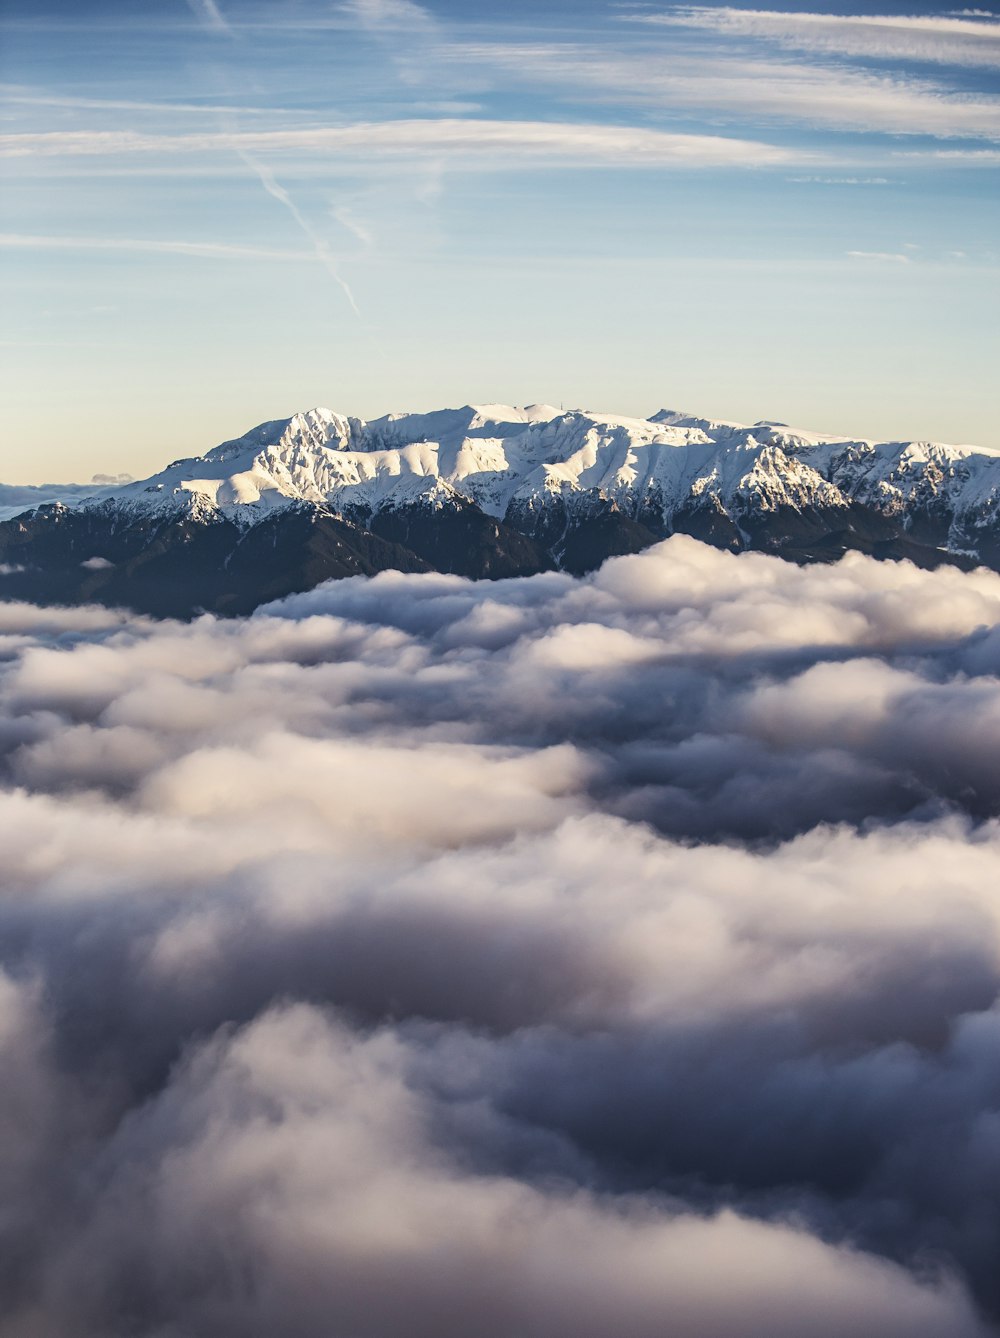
422 959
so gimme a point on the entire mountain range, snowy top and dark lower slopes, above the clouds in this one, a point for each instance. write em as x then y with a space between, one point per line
485 492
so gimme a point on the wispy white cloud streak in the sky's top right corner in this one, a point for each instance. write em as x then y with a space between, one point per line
943 41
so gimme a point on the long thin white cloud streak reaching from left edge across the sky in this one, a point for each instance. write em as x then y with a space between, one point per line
475 142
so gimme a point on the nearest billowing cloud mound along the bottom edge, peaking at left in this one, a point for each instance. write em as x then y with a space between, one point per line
288 1177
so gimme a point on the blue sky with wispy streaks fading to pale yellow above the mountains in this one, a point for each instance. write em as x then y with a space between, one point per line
218 212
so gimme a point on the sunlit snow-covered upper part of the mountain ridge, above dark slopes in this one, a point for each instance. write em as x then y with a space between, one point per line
507 461
